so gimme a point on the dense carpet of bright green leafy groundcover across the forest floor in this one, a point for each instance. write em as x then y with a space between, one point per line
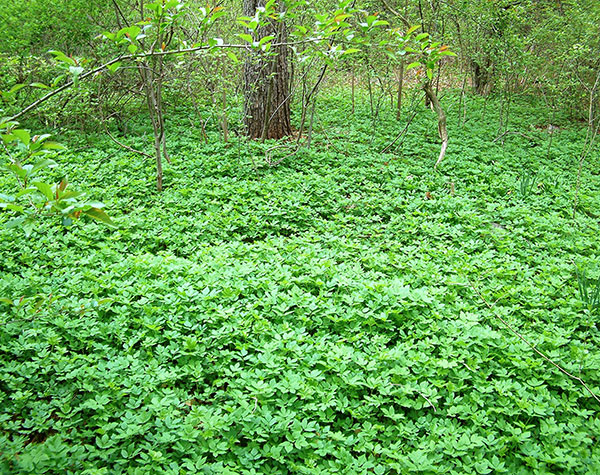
314 317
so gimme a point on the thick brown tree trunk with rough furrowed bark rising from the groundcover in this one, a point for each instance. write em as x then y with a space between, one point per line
266 84
